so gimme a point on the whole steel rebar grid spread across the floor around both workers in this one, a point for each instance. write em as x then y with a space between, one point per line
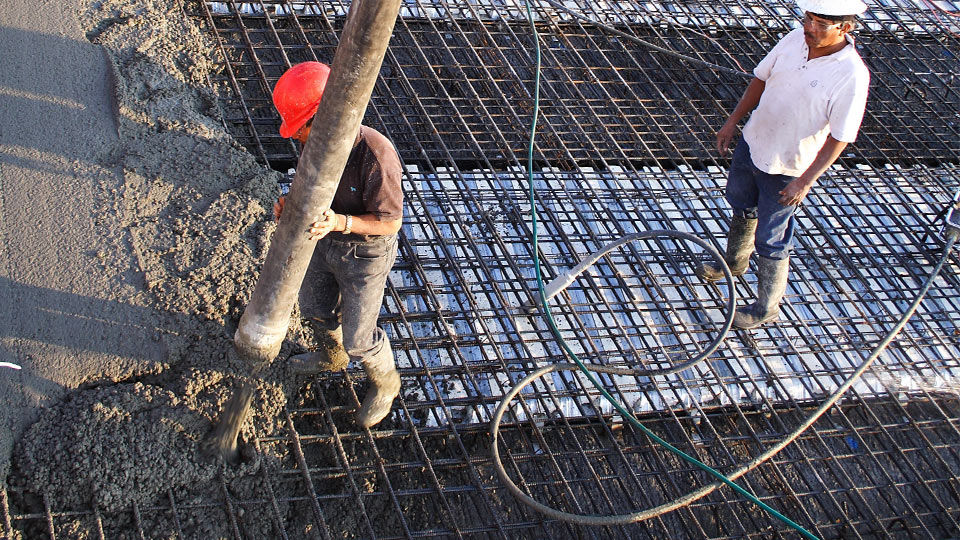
625 146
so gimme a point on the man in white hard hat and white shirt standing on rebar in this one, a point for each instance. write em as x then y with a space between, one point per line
806 102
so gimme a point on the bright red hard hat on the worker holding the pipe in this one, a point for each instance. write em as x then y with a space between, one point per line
297 95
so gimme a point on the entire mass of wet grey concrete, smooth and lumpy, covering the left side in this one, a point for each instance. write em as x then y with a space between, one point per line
132 229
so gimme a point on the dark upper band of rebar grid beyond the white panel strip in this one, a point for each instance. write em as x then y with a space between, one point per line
481 69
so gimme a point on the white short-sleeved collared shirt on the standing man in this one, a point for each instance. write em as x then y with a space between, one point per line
802 102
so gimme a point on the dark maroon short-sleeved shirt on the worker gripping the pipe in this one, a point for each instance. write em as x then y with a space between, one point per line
371 180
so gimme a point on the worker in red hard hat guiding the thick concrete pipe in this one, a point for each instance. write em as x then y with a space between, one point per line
356 247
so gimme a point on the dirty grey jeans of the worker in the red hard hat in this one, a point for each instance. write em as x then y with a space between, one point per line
344 284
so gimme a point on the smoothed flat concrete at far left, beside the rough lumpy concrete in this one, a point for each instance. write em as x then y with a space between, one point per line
68 309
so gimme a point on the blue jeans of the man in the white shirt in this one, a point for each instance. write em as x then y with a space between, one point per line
754 193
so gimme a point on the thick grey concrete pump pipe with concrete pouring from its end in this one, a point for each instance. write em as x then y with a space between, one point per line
263 325
